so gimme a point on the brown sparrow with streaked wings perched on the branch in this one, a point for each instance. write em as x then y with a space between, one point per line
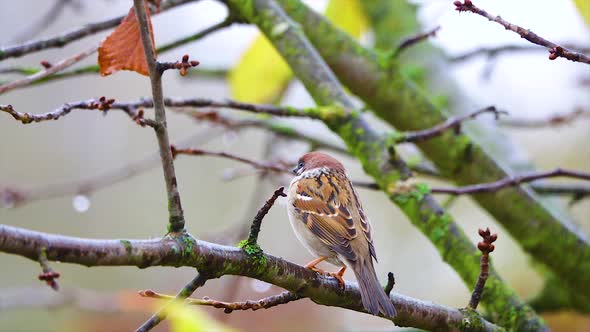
328 219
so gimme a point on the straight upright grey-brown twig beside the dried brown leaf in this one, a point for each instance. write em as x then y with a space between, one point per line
176 215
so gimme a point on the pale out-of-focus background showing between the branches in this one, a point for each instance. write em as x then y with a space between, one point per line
220 196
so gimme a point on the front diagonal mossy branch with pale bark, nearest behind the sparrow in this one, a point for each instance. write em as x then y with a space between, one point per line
380 160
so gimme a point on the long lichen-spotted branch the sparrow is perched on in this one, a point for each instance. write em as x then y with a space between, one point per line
216 260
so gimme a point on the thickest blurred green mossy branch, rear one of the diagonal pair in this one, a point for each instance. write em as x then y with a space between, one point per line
377 80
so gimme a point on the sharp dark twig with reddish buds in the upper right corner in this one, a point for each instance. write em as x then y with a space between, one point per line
555 50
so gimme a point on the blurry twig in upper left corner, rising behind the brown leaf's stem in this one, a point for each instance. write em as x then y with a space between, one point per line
68 37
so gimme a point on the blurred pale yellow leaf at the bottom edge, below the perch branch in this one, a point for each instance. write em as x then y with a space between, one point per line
184 318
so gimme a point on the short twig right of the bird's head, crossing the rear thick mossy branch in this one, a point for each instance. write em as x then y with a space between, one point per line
451 123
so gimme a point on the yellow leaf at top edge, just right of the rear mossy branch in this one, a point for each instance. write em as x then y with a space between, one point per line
348 16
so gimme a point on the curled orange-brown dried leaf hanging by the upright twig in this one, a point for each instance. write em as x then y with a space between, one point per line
123 49
